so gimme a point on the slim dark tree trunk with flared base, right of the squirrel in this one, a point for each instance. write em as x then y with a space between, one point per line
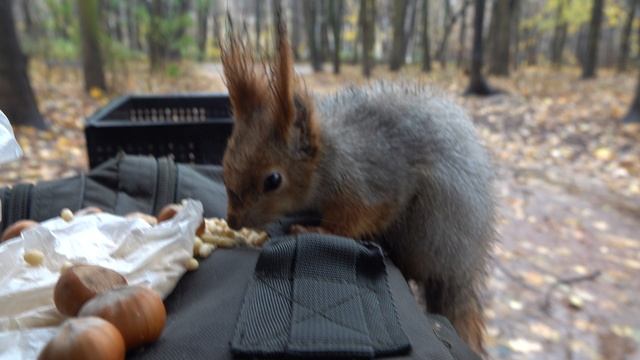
477 83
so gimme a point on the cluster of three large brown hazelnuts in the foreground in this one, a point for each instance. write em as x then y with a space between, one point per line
108 316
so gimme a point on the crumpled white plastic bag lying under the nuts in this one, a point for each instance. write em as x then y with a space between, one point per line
143 254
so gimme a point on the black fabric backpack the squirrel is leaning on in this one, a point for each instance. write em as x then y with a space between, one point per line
293 299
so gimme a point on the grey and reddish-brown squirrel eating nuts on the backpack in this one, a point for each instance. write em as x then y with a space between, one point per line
398 163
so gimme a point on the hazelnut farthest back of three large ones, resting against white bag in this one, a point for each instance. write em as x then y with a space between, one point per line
80 283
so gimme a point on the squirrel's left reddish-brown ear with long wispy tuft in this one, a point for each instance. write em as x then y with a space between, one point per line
248 89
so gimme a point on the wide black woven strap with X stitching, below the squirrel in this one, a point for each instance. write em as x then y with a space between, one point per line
318 295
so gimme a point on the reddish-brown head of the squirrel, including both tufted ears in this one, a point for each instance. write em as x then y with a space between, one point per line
274 132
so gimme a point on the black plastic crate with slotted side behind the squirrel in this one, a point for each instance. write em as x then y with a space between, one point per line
193 128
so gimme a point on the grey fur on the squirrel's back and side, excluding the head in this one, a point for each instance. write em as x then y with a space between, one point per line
412 146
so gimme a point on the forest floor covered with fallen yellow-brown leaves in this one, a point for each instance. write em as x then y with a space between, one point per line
566 277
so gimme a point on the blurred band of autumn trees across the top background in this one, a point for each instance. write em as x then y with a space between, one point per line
107 36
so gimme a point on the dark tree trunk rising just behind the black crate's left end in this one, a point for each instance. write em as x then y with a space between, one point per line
91 52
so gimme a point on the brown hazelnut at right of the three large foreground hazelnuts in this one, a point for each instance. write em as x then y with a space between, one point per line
138 312
